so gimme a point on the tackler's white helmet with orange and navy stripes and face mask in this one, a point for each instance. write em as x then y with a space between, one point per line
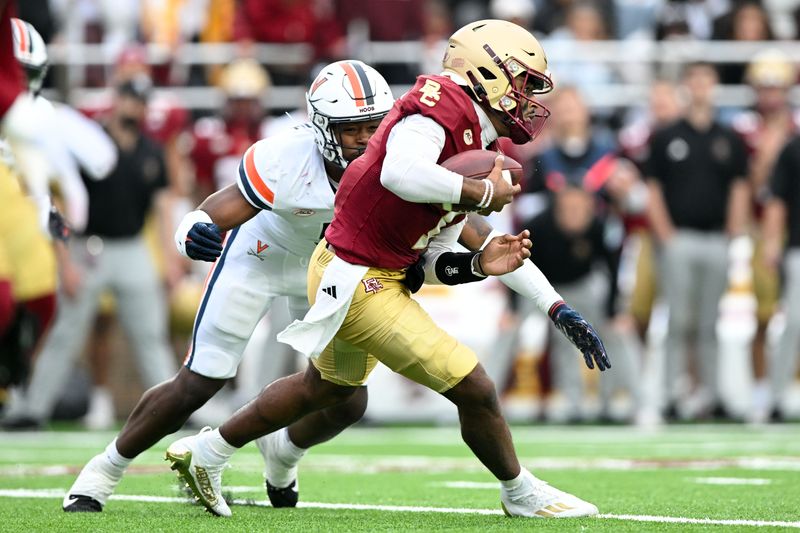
345 92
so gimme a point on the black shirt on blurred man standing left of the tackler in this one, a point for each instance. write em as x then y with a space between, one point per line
118 204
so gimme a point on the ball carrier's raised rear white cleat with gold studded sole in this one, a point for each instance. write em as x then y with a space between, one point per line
204 480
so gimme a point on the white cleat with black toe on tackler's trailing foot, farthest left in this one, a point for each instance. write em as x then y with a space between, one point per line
94 485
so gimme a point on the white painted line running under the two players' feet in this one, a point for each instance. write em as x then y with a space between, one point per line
59 493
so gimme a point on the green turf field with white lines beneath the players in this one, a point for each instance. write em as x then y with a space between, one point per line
679 478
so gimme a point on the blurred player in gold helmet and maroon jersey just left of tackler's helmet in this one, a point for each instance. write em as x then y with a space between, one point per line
220 141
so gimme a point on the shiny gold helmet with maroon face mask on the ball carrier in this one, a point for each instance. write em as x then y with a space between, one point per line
505 67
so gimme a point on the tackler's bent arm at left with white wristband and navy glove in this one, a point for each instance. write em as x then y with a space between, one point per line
199 235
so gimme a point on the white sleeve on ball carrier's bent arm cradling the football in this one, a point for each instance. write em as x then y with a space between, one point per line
409 168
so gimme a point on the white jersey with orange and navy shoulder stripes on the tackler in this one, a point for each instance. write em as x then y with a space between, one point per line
285 177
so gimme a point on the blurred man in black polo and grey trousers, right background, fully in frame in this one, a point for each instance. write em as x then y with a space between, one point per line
698 198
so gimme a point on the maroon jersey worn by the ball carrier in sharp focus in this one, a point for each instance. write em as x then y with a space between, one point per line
371 225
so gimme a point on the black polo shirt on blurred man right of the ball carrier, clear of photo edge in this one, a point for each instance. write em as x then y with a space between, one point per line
695 170
